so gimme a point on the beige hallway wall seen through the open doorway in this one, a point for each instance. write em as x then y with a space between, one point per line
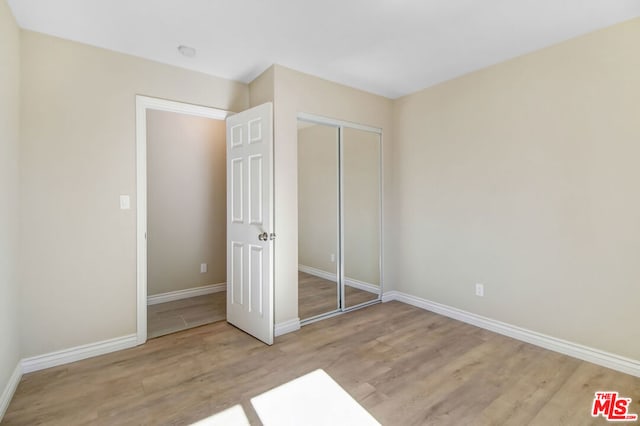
186 201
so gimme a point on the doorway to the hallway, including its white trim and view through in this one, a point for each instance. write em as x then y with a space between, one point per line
181 216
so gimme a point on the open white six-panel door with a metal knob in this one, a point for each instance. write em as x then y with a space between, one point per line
250 221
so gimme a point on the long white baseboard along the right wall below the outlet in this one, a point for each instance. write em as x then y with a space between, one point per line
585 353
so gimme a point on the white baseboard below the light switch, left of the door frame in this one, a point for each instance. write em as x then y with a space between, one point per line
78 353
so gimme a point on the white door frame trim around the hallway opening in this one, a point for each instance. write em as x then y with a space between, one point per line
144 103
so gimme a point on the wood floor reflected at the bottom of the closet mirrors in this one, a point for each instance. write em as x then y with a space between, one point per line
318 296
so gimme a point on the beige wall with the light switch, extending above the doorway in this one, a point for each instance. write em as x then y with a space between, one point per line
78 266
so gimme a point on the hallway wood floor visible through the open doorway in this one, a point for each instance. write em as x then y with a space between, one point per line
170 317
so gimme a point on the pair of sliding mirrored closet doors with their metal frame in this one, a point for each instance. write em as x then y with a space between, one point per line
339 220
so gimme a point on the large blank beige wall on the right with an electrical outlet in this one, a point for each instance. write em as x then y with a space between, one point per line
524 176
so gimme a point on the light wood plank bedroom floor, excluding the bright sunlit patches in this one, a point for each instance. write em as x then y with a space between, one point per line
404 365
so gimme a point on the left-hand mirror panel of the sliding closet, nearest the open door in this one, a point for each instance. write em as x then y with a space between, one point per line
318 291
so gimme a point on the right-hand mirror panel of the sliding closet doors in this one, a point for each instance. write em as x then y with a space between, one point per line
361 215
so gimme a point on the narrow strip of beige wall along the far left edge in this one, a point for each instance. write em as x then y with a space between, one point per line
9 200
